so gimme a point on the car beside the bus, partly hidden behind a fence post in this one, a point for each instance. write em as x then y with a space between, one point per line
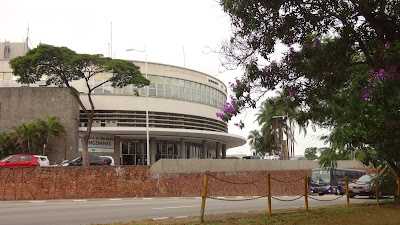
365 186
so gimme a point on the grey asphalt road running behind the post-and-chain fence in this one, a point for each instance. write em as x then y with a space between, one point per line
98 211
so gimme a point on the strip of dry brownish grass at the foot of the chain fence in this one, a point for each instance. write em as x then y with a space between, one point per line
365 214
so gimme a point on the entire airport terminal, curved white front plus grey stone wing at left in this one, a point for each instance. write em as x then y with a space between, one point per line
175 114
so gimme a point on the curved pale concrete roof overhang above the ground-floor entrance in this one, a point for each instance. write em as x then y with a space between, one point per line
231 140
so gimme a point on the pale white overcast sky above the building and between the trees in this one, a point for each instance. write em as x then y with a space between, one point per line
176 32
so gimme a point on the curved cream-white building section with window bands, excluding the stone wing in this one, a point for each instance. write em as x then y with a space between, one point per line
182 106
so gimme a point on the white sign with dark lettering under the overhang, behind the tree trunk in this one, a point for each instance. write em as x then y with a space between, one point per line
98 143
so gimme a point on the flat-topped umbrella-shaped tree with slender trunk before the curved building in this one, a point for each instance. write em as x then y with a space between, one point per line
60 66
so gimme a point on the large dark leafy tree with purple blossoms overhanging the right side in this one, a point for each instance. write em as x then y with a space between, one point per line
340 68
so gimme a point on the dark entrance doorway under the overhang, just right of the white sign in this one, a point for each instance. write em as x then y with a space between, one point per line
132 152
